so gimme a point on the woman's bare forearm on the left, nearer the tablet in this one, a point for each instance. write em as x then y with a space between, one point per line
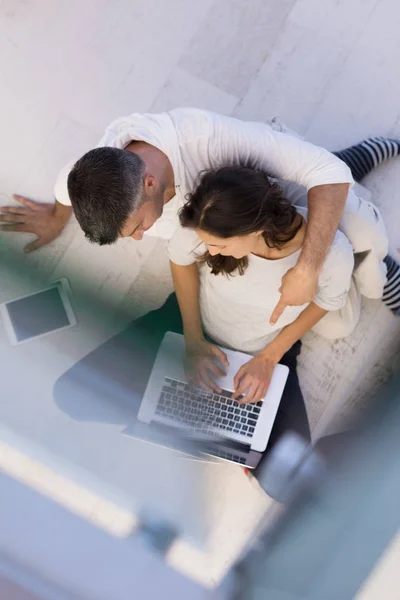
186 283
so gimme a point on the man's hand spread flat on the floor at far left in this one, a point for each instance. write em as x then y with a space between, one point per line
46 221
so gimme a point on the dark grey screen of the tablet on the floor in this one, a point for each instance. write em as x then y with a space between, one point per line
37 314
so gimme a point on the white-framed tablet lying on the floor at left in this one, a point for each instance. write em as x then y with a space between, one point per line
38 314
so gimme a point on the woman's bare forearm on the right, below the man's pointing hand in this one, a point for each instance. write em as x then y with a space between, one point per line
293 332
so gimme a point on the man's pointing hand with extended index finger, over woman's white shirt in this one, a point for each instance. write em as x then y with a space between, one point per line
299 286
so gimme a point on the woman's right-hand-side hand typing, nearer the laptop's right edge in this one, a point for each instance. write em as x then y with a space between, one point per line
253 379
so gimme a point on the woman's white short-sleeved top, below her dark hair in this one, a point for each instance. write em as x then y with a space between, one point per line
235 310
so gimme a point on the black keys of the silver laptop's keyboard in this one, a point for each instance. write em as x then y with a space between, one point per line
196 408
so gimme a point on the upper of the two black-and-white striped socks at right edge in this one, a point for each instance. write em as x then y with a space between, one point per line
367 155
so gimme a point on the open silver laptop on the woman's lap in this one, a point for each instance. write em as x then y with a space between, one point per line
215 424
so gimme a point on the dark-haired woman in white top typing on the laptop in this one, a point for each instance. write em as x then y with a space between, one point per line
239 237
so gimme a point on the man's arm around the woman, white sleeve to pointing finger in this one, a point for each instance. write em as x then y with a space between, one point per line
326 178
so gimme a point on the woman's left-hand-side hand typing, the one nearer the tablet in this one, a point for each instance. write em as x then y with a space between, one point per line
201 364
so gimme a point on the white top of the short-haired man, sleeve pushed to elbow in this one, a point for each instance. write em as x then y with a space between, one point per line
195 140
